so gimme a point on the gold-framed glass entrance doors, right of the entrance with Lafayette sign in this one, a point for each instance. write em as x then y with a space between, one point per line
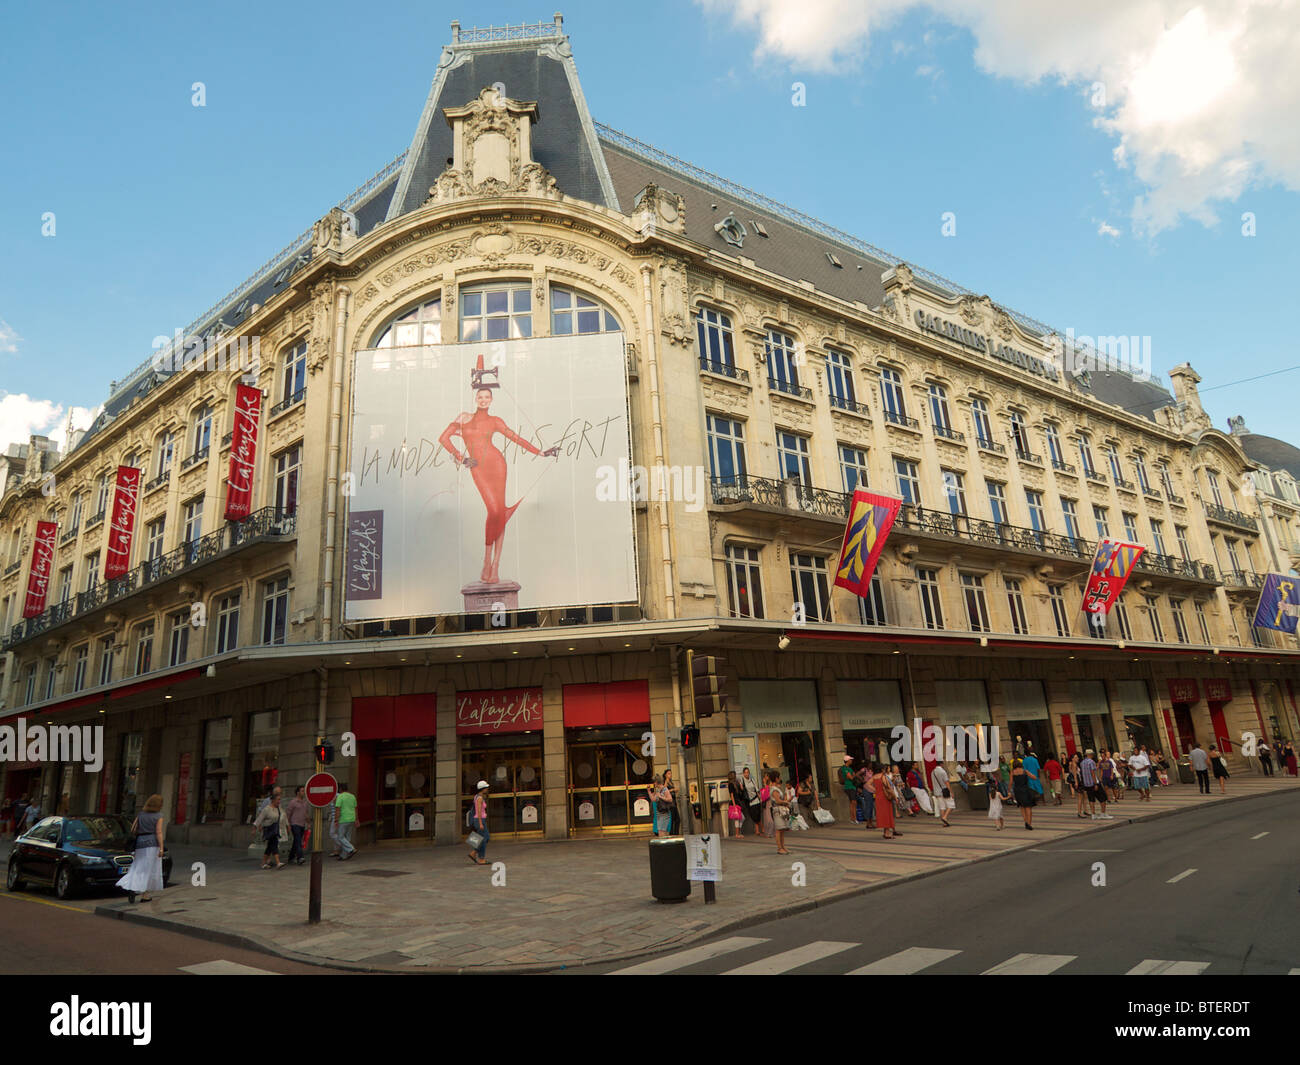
608 787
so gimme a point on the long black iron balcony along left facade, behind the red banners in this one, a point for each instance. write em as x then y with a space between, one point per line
267 526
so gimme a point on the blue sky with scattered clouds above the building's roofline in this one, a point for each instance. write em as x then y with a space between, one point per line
162 207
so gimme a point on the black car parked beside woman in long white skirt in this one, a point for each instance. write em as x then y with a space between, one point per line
75 854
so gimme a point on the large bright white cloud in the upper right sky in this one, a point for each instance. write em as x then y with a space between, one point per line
1202 102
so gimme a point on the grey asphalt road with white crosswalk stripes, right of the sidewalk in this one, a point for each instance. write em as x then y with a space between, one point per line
1210 891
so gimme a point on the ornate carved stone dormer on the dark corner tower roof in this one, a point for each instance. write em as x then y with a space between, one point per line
493 151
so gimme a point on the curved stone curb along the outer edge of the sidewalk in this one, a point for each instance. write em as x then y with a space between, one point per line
778 914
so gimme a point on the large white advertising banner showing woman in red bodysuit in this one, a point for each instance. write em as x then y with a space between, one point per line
479 479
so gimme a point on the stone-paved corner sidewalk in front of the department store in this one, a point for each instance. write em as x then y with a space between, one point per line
573 903
